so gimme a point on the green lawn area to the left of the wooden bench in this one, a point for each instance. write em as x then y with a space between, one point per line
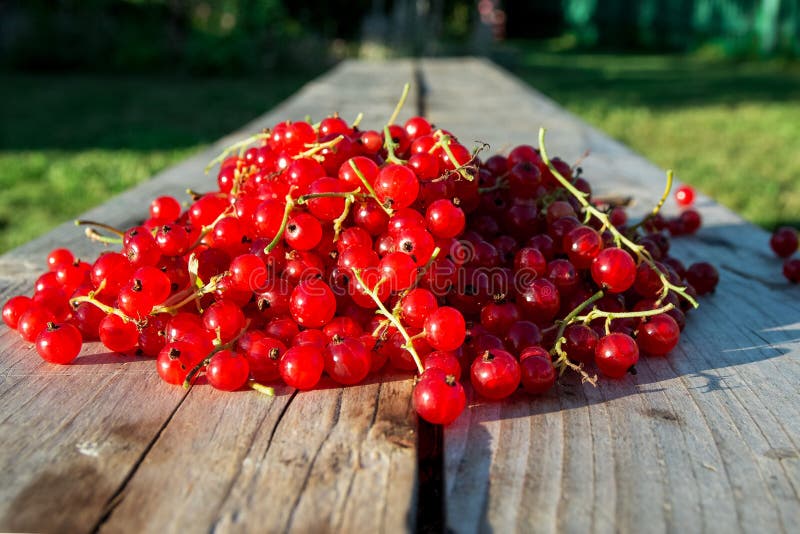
68 143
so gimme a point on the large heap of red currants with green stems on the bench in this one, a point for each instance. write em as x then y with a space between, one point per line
330 250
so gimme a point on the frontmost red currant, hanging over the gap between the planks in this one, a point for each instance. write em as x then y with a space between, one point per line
438 397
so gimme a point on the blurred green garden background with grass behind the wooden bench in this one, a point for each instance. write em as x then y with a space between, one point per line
98 95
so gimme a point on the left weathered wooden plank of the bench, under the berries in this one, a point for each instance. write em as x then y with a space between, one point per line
107 446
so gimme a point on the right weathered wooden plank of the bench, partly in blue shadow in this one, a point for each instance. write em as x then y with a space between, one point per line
707 439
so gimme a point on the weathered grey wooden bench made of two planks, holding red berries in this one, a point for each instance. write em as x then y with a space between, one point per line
706 439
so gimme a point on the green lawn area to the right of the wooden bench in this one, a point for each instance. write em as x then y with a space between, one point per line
732 130
